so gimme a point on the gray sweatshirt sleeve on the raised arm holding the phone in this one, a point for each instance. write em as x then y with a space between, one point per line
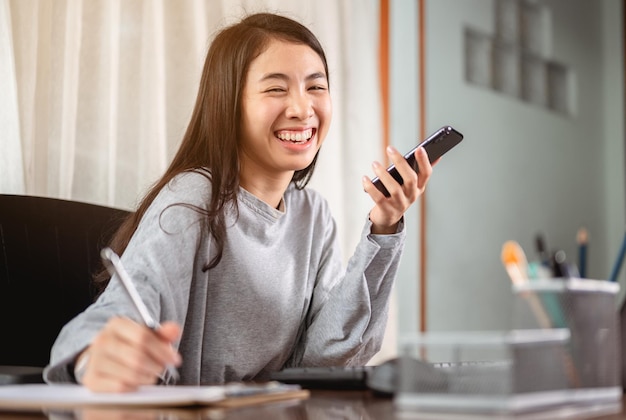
348 314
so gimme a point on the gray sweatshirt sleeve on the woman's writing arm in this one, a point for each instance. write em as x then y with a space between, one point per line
159 259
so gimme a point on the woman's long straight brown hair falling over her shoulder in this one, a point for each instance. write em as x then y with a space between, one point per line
212 137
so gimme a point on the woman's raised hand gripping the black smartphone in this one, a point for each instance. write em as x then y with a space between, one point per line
388 211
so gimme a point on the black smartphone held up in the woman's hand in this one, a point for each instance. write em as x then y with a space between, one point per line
435 145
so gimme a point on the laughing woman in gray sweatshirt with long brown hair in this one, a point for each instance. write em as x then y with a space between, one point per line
229 251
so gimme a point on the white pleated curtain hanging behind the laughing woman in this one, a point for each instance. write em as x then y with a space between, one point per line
95 95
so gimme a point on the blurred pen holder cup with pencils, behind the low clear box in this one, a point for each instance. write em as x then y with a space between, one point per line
588 308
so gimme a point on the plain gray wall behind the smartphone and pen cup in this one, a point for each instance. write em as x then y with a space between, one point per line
521 169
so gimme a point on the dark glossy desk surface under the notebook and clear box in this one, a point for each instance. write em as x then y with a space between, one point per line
344 405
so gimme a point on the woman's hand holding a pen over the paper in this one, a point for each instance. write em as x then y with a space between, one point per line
125 355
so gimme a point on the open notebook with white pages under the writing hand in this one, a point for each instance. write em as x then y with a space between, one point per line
35 396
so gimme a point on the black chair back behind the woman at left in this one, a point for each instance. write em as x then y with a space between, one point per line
49 251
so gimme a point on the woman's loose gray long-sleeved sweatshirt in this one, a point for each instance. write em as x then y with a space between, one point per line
279 297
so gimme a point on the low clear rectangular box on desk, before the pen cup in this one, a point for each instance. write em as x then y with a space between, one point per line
483 372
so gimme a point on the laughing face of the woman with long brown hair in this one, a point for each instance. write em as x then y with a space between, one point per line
286 110
